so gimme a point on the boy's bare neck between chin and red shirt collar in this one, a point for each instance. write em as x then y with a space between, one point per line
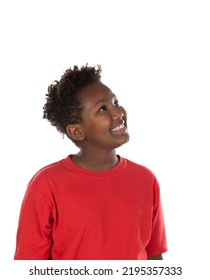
96 161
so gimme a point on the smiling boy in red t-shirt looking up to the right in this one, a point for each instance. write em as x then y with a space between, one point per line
93 204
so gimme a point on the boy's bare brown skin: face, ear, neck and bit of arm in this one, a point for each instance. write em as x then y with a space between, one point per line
103 129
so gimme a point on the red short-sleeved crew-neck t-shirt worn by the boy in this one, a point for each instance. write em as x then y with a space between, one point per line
69 213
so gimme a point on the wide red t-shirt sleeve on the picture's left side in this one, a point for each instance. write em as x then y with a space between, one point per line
34 237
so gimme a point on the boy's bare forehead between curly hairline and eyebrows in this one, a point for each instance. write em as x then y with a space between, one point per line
94 93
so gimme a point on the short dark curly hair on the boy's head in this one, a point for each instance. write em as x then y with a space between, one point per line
62 105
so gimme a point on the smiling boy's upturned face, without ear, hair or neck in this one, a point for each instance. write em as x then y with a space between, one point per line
104 120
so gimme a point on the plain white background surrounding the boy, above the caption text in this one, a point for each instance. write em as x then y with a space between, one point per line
155 56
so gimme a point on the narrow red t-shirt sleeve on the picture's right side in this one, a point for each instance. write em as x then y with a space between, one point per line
157 244
